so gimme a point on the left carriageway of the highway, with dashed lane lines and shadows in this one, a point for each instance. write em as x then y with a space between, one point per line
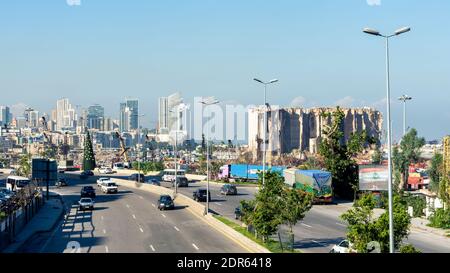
129 222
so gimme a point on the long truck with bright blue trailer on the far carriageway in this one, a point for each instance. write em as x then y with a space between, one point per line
244 172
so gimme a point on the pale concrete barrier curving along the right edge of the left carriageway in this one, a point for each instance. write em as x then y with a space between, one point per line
198 210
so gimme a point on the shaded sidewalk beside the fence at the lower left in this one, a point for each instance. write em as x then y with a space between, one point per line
44 221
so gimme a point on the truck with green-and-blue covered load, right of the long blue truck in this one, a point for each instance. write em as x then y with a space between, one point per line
314 181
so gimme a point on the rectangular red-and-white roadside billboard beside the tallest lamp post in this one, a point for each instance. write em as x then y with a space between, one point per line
373 178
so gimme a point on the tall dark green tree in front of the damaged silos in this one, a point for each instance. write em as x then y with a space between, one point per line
338 155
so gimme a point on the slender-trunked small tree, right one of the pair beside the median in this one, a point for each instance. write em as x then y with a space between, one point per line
295 205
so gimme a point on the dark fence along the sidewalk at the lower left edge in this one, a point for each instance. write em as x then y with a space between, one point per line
16 213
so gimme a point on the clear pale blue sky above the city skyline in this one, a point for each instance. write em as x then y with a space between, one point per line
105 50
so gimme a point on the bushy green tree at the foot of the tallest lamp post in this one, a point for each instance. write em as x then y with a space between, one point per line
363 228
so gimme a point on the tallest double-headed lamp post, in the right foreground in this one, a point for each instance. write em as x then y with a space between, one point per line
388 95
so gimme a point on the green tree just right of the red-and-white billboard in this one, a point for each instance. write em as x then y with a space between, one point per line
408 153
